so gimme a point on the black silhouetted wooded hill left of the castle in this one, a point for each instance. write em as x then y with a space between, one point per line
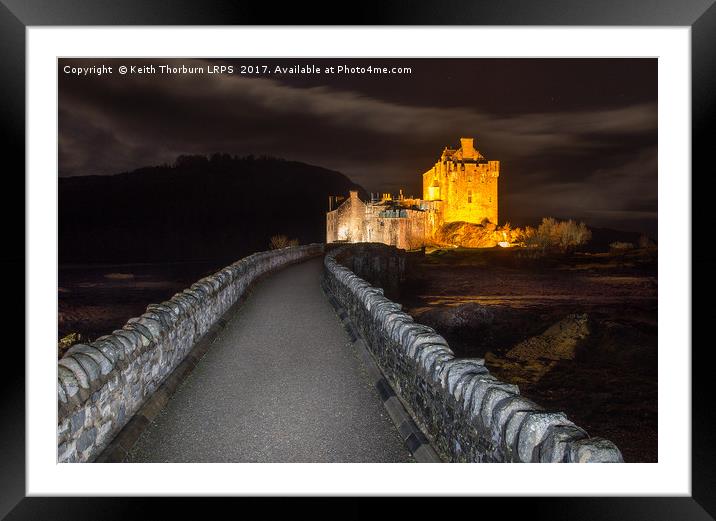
221 207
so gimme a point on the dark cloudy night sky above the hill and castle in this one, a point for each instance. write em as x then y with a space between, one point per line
576 137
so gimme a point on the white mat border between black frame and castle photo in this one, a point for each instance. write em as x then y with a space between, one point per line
670 476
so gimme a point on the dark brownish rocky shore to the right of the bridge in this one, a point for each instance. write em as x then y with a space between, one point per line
576 333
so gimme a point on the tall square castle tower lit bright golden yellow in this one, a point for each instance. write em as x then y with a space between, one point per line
465 183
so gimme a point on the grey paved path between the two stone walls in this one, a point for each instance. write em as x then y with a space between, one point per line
280 384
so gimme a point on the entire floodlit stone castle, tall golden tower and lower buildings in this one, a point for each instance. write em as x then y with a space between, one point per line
461 186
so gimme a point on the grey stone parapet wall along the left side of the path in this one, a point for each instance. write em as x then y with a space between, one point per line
101 385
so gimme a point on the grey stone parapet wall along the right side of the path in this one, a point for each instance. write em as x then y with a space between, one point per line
469 415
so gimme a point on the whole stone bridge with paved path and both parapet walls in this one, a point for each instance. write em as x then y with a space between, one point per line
290 356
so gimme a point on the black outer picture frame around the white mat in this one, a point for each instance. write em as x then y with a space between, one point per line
699 15
